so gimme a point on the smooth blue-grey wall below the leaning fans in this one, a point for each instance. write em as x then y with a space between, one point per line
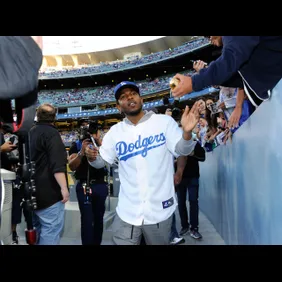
241 182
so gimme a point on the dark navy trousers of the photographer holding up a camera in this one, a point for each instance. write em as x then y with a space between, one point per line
92 216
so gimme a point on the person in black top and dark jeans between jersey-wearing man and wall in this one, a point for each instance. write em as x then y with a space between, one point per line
187 175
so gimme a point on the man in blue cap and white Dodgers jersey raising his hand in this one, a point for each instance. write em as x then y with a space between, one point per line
144 143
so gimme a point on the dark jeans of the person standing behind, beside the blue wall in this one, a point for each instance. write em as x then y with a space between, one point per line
192 185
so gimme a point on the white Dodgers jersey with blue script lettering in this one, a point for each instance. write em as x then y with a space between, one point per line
146 171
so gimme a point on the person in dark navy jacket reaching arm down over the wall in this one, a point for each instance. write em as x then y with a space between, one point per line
256 60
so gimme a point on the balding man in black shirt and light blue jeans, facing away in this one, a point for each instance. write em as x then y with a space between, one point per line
49 154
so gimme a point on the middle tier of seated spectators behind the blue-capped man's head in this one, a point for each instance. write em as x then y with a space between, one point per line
100 94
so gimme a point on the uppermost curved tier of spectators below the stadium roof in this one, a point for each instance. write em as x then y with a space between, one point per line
122 64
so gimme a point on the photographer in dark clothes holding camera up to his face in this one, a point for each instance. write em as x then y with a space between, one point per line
92 216
